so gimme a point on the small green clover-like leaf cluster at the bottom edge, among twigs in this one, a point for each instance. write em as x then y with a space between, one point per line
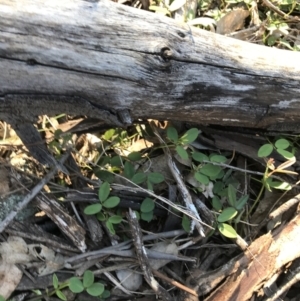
88 284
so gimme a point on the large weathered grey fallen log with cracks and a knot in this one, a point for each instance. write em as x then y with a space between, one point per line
119 64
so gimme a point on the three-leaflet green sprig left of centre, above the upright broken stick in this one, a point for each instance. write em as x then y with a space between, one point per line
106 202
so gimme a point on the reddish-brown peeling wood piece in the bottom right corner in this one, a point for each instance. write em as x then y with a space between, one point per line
247 273
